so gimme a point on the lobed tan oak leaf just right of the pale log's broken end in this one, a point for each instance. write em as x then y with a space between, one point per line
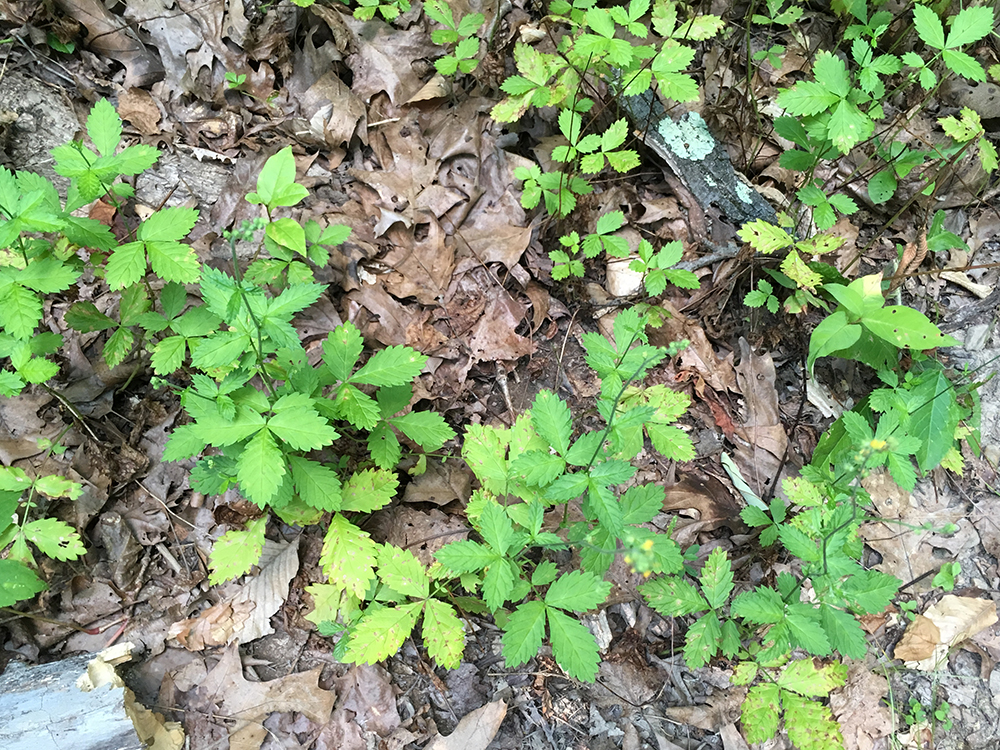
225 692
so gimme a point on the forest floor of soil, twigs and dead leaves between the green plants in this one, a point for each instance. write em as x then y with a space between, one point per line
444 258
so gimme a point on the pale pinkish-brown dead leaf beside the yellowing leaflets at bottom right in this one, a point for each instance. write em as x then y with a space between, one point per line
857 706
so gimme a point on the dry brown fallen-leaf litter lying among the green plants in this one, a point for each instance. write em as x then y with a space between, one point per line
442 259
